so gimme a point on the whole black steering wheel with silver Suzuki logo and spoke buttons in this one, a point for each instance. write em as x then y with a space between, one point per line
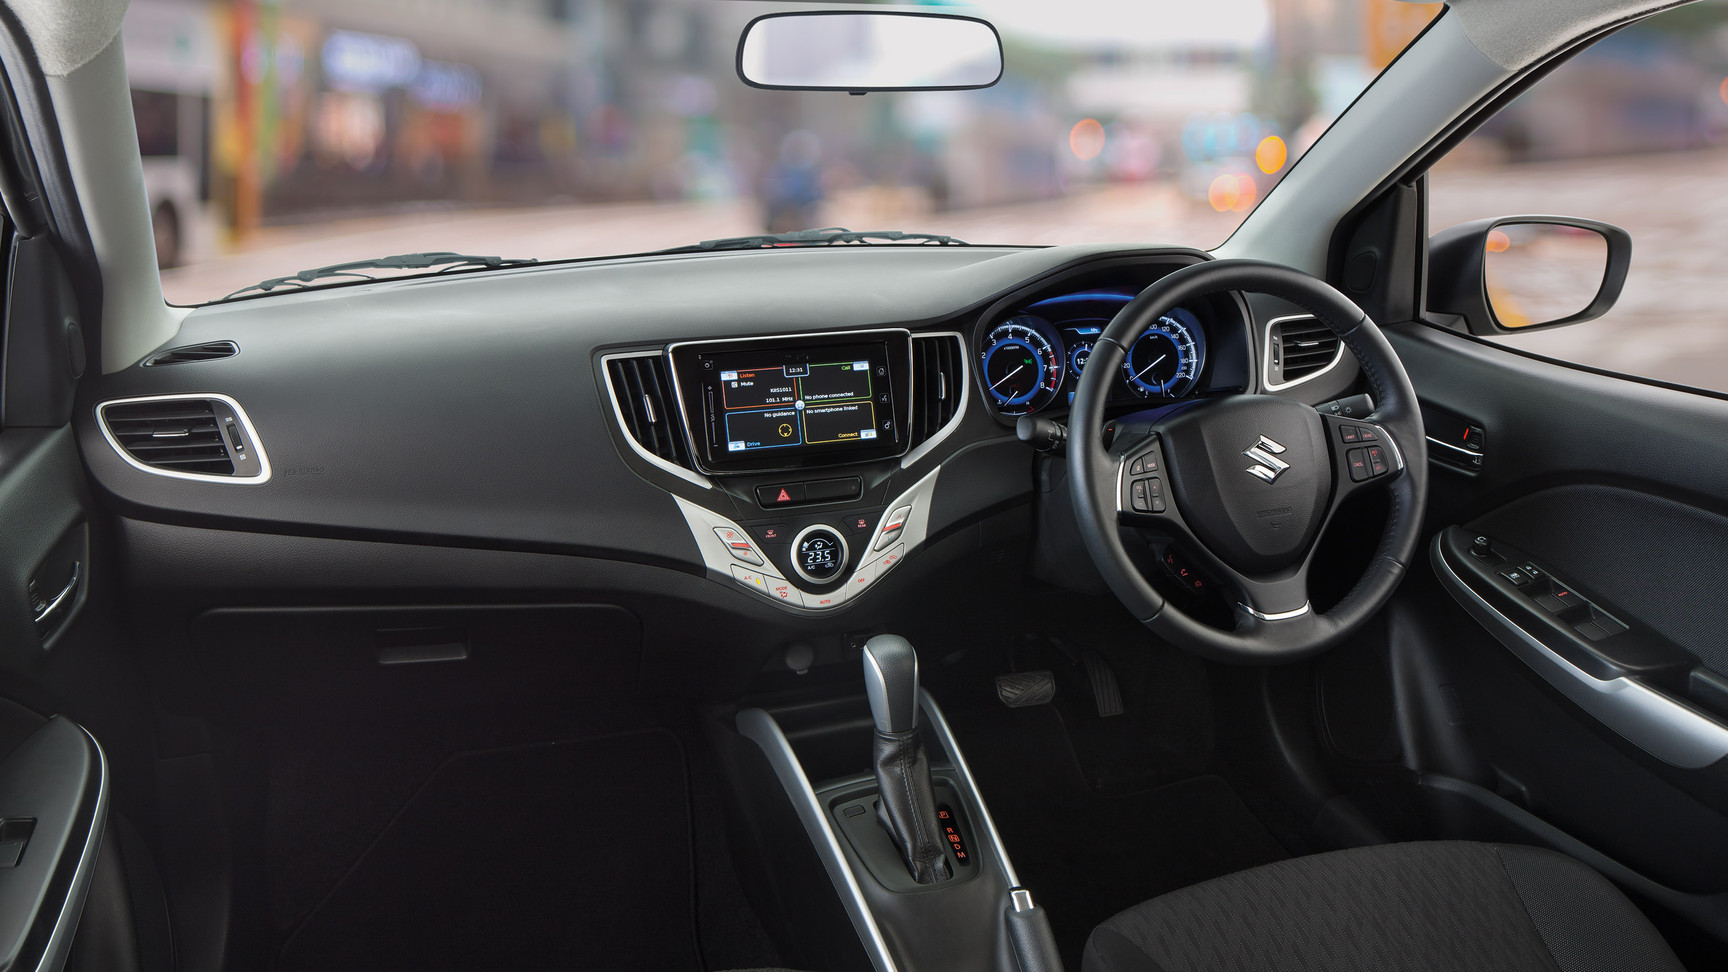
1247 483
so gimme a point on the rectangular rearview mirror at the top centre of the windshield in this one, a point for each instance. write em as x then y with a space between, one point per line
825 51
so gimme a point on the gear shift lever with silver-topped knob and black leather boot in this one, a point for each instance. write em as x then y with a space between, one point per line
903 771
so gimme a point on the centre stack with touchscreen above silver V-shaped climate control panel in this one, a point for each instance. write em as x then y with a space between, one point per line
804 433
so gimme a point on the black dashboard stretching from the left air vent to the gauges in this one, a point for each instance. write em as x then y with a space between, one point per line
777 435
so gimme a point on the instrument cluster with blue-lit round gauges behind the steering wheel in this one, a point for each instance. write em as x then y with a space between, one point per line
1032 361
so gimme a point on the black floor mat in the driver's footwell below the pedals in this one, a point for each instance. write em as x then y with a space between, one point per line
1088 857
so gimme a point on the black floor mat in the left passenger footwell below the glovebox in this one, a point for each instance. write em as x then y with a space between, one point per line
573 855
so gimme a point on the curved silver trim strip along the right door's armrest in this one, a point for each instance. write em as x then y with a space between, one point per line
1663 727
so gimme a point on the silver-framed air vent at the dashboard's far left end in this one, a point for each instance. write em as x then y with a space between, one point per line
186 437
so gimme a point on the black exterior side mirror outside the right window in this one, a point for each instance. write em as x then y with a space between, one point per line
1527 272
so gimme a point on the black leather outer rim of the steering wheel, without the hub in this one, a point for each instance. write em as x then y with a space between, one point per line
1096 471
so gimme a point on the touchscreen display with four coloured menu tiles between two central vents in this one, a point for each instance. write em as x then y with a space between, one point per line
778 406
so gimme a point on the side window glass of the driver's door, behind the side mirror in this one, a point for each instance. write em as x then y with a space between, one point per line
1630 132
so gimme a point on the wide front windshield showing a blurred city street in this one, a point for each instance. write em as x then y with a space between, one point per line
302 134
